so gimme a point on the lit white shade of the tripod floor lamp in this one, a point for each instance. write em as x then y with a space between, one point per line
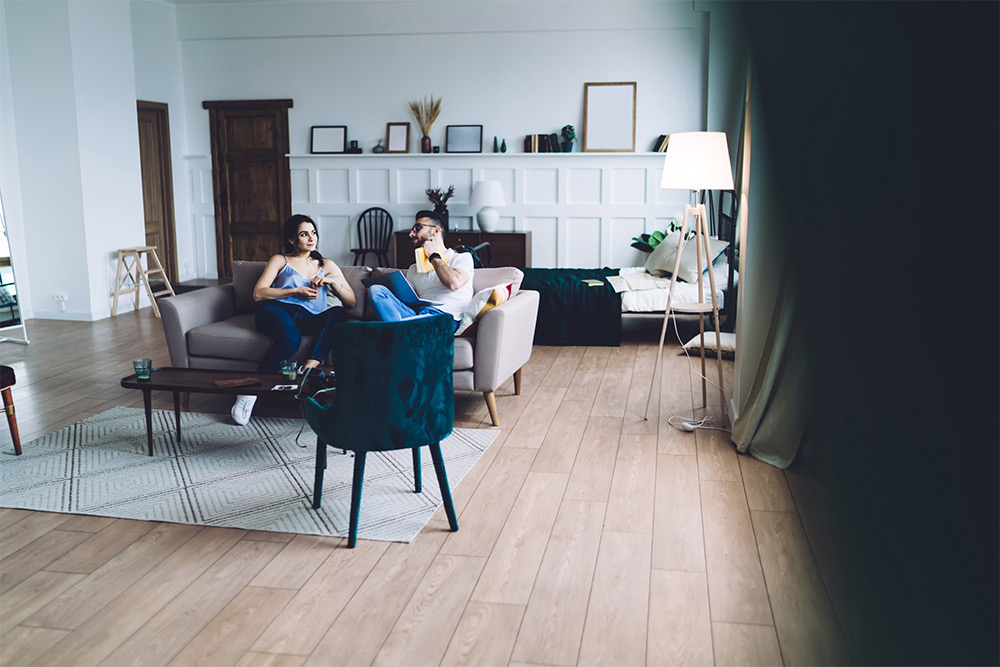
697 161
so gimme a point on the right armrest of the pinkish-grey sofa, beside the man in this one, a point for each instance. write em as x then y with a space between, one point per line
504 339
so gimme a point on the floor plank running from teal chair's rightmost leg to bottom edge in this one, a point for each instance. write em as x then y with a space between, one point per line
359 632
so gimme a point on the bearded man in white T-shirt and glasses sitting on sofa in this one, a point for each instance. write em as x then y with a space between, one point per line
449 284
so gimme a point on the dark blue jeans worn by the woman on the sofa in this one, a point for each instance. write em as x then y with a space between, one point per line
286 323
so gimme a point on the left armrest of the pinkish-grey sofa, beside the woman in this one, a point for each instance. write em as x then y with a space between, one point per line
187 311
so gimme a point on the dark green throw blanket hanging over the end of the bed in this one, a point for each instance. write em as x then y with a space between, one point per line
572 313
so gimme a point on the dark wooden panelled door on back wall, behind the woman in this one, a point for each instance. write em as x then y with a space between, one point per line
250 176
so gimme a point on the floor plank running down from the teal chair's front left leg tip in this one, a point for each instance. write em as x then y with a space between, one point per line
303 622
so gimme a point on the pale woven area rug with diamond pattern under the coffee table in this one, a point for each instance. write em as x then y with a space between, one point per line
254 477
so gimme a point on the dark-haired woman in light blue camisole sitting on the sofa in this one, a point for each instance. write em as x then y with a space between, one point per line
292 298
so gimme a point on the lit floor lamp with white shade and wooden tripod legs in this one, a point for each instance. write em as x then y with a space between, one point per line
695 161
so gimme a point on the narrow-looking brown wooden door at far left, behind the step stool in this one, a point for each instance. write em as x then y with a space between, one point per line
157 183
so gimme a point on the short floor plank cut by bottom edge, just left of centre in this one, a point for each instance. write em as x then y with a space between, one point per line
485 635
